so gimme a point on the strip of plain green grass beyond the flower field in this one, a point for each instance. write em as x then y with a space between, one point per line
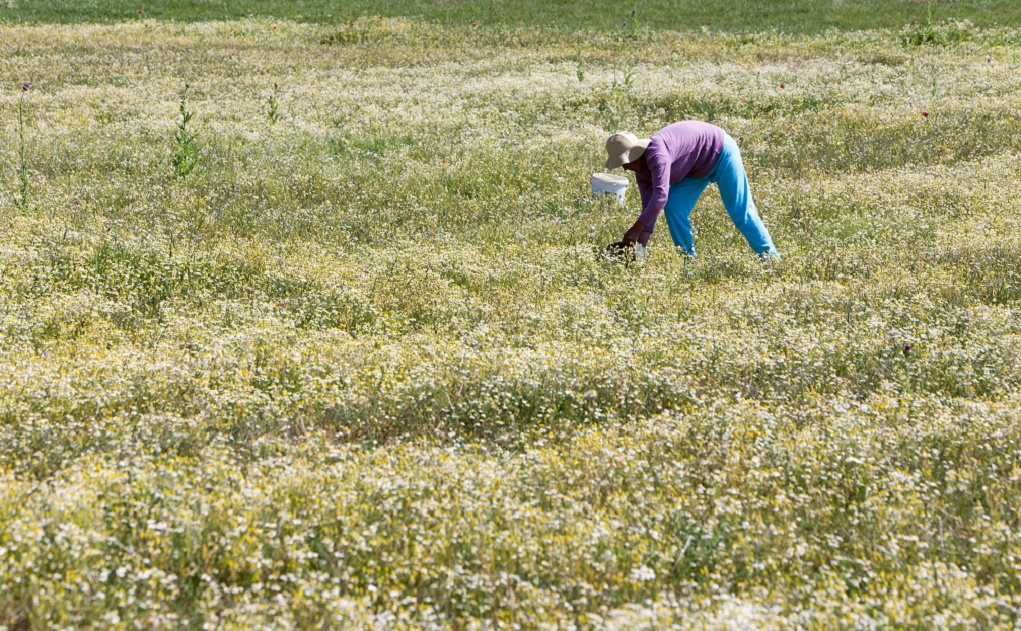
786 16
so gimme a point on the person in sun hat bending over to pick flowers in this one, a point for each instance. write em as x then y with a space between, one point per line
672 170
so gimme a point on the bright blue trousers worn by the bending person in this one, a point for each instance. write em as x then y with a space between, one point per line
730 176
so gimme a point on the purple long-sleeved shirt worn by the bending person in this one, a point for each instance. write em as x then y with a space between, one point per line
688 150
